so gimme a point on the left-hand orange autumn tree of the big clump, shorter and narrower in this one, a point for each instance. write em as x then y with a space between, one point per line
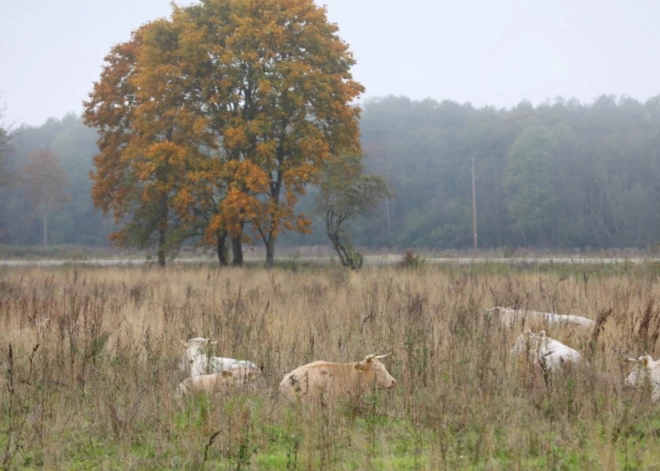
144 148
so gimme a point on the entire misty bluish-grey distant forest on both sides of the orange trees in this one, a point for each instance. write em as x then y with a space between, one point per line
560 175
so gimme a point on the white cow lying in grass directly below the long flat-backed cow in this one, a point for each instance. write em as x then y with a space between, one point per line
550 353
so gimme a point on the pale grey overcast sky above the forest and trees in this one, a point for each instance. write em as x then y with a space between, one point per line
495 52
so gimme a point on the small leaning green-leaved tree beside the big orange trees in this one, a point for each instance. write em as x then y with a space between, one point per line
345 194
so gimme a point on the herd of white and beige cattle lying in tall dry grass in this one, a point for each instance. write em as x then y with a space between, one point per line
310 382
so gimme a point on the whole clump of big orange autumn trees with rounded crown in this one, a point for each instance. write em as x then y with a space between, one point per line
218 118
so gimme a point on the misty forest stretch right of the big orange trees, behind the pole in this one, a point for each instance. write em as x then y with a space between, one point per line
563 174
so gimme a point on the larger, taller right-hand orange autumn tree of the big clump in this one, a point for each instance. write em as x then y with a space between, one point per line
272 83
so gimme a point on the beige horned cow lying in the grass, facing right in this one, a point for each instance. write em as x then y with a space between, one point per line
321 379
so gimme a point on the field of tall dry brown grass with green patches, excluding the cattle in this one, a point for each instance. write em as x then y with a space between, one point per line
98 391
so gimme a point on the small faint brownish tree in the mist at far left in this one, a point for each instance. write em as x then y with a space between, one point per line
46 185
